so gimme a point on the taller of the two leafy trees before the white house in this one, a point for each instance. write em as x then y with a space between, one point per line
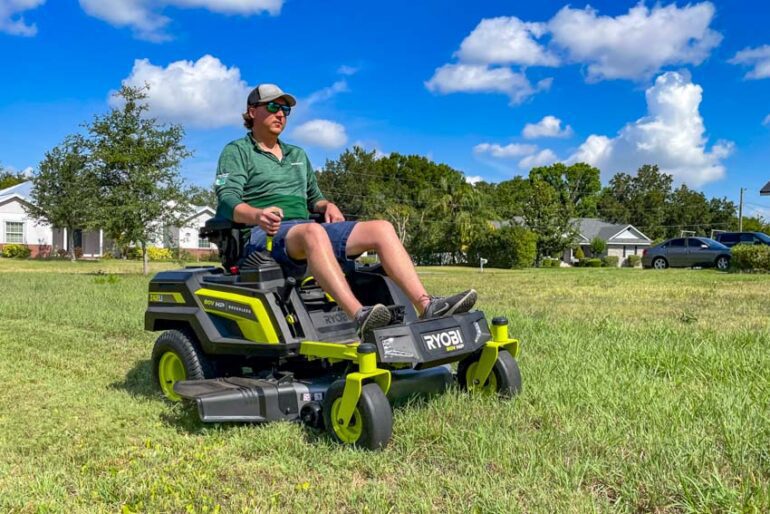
137 162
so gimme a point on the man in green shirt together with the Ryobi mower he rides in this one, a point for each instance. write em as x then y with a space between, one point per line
281 331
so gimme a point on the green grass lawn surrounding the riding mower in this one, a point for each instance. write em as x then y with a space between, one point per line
643 391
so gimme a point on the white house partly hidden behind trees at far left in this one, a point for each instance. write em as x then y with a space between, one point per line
17 227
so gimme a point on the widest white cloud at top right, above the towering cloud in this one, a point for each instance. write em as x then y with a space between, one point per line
638 44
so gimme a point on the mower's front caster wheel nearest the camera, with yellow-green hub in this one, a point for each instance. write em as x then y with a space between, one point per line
372 423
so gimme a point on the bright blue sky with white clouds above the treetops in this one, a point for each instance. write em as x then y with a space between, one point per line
491 88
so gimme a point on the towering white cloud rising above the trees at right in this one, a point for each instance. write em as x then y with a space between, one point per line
671 136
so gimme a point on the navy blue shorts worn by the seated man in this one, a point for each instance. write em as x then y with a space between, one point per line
338 235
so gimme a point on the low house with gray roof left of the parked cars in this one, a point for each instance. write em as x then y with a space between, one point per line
621 239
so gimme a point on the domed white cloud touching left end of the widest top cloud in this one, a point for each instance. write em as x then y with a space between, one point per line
506 40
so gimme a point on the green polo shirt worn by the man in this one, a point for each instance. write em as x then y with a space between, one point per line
247 174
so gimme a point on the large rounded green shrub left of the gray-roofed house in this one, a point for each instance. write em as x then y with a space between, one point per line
506 247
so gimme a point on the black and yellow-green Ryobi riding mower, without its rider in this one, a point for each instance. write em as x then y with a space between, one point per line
249 344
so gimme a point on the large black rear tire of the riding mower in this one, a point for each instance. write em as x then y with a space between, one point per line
185 347
